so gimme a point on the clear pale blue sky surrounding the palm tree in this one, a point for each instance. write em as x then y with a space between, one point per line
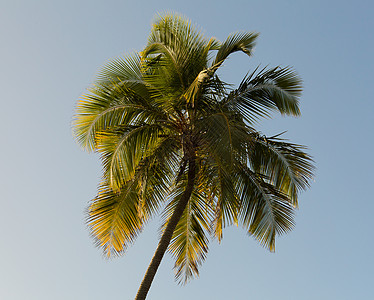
49 55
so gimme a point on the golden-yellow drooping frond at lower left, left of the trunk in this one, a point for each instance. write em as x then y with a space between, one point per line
116 217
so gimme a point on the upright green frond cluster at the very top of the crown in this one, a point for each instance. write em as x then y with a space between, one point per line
181 50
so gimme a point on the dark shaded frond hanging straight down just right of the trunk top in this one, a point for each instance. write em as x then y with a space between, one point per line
222 143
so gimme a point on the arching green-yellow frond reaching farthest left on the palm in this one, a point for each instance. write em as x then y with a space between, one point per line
112 103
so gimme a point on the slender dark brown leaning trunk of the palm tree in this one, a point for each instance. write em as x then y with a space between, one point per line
168 233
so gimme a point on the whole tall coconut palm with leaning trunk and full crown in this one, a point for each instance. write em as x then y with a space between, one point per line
176 140
